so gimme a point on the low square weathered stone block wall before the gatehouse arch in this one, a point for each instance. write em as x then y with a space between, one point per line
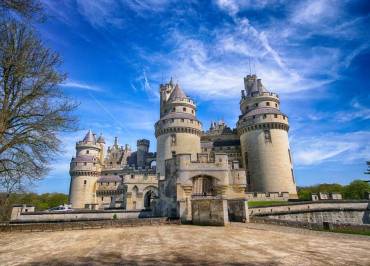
209 211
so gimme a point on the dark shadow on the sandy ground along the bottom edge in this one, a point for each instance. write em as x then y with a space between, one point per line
115 258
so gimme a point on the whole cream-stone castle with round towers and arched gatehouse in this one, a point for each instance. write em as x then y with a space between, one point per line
252 160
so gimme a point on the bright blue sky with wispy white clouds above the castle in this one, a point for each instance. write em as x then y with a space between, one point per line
314 53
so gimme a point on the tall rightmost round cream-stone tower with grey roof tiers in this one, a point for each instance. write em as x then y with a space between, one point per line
263 132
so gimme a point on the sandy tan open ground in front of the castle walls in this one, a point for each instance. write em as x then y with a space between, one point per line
185 245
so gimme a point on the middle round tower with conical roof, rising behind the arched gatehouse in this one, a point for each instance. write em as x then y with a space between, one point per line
178 130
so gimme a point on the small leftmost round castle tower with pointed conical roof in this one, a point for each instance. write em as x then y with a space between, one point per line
84 170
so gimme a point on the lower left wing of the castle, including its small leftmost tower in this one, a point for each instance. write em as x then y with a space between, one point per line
120 179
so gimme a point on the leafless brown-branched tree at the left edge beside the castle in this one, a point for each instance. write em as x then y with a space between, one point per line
32 107
